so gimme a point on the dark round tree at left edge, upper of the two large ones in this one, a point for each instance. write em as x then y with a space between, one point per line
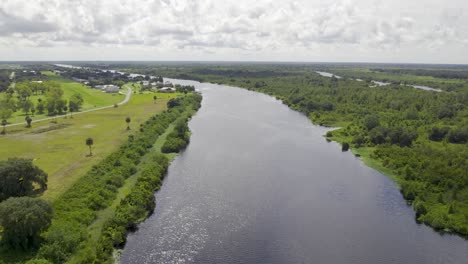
20 177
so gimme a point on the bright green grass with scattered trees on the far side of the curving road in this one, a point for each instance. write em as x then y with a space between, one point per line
93 98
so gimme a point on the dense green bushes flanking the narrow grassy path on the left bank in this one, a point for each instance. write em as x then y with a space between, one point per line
76 209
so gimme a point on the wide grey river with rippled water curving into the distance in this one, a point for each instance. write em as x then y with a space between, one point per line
259 184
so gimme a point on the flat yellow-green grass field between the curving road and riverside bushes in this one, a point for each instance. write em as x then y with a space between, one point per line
60 148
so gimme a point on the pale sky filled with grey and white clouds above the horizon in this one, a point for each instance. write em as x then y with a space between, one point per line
422 31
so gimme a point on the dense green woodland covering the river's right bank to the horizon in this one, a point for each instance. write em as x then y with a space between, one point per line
420 135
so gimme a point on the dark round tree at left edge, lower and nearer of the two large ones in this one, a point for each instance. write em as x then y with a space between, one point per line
23 220
